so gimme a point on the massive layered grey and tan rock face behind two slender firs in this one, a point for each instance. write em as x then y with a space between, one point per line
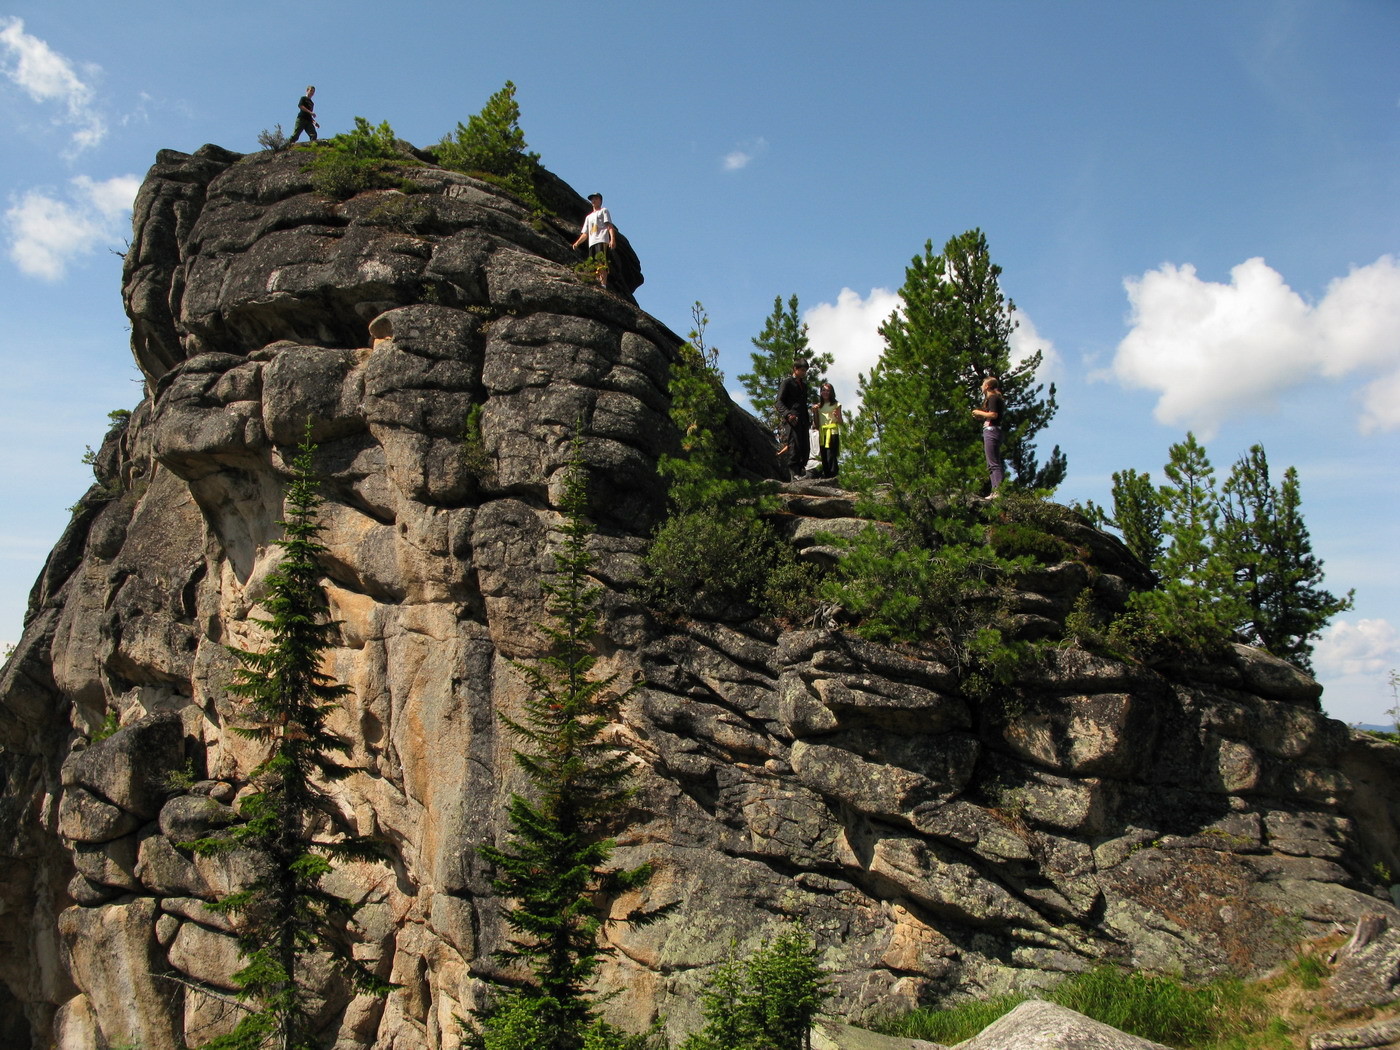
933 843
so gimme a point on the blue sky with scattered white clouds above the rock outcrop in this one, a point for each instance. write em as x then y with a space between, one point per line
1193 205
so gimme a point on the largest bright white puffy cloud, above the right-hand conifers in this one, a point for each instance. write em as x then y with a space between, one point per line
1192 341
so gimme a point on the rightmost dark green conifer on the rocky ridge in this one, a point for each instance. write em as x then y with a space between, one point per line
1265 541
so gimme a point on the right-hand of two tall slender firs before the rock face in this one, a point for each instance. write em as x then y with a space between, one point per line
554 869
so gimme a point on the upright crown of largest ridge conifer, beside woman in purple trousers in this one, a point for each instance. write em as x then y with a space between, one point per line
953 331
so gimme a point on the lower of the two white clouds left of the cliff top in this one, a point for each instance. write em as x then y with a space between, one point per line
47 232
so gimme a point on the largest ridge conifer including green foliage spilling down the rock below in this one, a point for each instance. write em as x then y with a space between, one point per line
916 454
